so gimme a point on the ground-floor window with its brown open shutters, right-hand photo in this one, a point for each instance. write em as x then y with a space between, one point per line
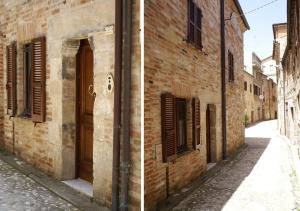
174 125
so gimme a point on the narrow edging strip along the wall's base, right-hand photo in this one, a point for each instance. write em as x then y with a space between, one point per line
180 195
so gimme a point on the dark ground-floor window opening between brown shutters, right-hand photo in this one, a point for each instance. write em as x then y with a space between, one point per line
181 125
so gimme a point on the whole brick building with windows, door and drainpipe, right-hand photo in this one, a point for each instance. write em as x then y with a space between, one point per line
185 91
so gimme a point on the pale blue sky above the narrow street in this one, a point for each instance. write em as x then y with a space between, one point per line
260 37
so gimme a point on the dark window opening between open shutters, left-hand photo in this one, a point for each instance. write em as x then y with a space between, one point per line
27 80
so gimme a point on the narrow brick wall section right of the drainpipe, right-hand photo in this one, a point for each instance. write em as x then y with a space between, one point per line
234 90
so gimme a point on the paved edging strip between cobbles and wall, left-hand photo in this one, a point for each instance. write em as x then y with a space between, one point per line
60 189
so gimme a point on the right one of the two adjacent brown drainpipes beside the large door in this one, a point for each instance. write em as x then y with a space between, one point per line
127 52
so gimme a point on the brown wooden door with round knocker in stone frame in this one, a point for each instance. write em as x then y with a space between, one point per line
85 106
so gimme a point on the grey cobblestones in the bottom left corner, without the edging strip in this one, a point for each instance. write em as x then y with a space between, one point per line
20 193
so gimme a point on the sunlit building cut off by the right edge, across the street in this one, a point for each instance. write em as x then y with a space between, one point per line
291 75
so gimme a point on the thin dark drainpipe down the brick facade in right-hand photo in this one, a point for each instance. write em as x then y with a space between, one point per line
223 78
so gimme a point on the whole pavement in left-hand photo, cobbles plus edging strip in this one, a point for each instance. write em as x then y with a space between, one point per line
23 187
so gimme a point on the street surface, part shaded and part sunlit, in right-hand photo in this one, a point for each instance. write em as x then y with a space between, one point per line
261 178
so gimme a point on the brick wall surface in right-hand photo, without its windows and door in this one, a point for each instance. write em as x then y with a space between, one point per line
175 66
